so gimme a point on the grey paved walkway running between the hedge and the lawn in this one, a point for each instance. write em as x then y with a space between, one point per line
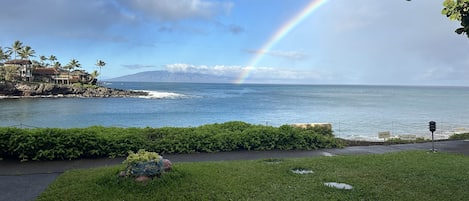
25 181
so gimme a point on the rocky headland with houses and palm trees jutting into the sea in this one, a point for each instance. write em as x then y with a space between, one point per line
23 77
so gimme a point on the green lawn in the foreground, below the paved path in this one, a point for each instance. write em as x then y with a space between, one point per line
415 175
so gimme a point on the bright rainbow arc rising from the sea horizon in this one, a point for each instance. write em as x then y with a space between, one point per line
278 35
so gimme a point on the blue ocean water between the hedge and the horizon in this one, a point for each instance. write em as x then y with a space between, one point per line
355 112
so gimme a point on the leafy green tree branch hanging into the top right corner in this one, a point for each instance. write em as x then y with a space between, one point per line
458 10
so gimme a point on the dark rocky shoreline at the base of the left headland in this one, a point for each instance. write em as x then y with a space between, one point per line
48 90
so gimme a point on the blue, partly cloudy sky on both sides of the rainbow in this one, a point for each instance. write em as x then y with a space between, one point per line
386 42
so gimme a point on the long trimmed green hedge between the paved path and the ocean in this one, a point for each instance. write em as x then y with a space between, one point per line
98 141
